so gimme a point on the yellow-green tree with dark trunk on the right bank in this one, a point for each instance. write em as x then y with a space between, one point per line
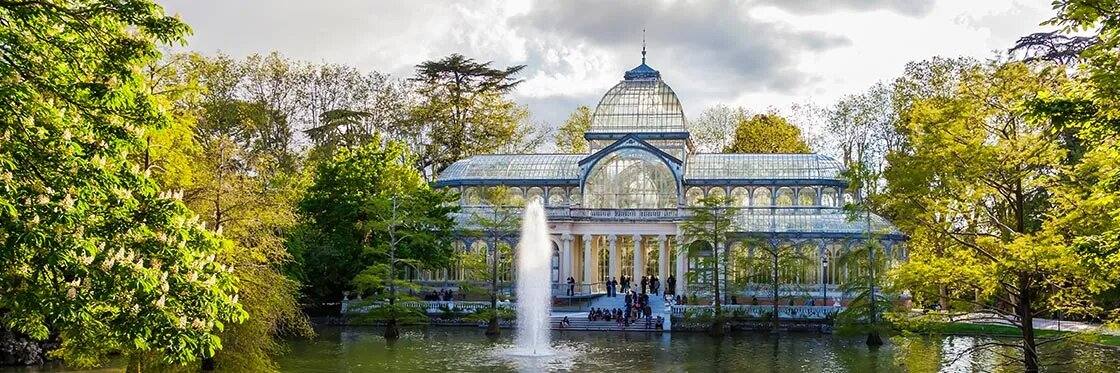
977 161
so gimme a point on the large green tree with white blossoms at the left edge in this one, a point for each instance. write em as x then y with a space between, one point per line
95 254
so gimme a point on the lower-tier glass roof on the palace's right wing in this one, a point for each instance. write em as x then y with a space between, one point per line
819 221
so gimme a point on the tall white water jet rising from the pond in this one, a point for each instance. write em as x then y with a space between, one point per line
535 291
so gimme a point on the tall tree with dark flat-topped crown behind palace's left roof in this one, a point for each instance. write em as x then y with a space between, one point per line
463 109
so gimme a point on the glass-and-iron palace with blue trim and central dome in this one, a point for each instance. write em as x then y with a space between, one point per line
619 209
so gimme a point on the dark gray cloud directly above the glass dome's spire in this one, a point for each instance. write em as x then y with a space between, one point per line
716 45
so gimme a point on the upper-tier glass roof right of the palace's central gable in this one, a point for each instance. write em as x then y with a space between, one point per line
715 166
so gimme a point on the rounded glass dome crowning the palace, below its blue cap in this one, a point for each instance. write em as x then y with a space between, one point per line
634 106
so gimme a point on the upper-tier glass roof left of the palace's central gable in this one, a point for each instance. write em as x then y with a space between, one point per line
497 167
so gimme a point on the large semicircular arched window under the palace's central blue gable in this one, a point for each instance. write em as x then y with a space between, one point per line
630 179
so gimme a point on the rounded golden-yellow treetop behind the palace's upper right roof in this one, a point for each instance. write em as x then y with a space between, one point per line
768 134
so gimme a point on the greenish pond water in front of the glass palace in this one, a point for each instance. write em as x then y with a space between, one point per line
466 350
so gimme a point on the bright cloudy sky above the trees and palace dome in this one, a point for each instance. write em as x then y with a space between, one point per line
757 54
